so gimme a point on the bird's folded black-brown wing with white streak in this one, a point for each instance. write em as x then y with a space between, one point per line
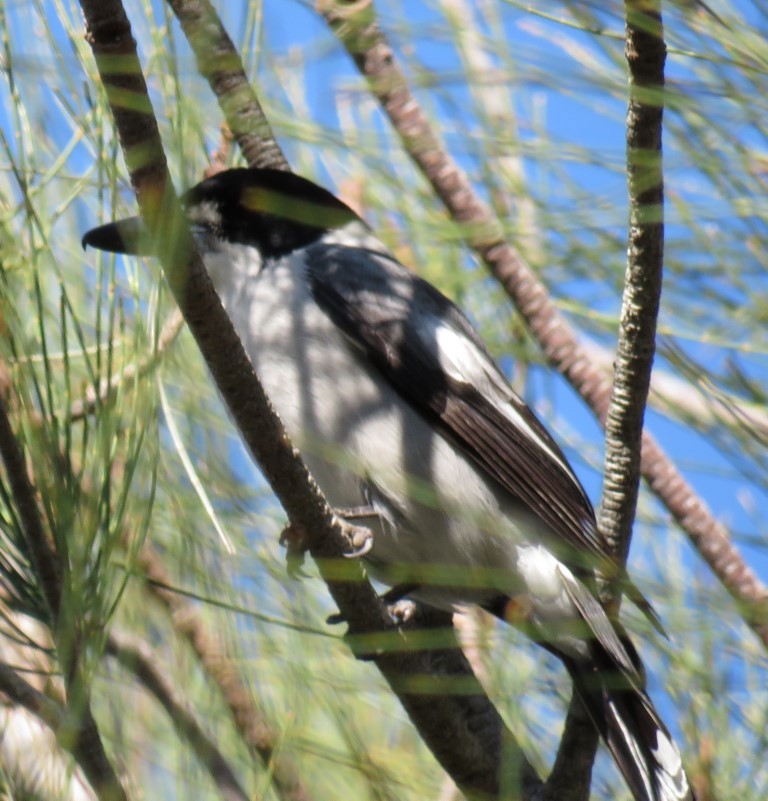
427 349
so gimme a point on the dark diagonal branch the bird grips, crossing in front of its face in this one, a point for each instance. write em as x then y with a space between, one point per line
463 729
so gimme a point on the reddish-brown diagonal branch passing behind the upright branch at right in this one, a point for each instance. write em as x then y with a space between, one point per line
354 23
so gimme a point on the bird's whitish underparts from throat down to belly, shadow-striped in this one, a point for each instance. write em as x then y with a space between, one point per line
358 437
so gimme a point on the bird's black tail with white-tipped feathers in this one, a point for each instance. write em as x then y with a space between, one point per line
636 737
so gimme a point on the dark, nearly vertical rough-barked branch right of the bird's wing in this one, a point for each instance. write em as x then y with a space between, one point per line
646 54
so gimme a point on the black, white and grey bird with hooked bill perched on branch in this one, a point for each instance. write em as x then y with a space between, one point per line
399 410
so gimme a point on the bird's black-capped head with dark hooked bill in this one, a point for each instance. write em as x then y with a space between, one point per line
274 211
